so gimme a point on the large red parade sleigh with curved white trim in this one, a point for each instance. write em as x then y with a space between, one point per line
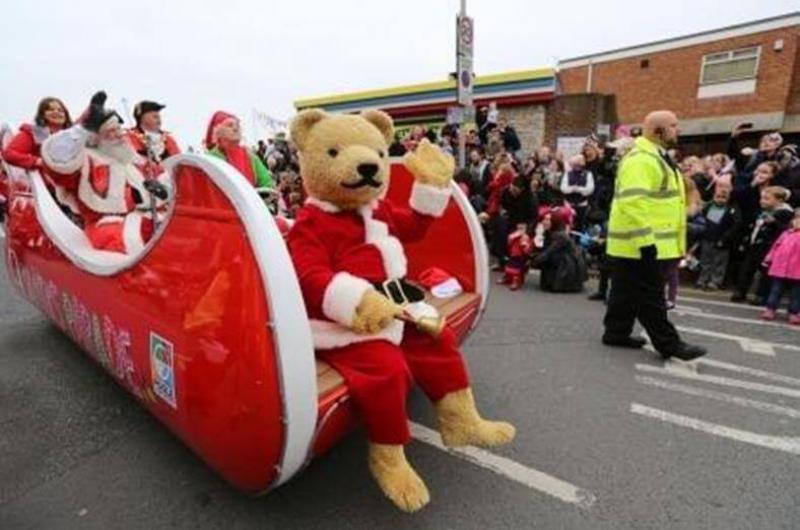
207 327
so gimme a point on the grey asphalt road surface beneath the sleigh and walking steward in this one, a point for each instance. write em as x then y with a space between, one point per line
647 448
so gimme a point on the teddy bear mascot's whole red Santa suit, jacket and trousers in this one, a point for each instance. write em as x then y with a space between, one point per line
340 255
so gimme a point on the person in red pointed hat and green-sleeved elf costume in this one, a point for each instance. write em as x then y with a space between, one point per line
223 140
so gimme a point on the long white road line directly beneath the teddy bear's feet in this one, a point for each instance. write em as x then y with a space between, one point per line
532 478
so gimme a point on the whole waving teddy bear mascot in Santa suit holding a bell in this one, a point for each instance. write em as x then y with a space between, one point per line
347 247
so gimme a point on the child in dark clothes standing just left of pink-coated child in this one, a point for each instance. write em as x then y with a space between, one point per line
771 221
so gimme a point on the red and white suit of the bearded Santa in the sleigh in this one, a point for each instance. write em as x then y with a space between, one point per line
112 199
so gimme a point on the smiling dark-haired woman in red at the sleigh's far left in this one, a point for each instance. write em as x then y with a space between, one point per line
25 148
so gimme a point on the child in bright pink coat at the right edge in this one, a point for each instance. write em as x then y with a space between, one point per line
783 261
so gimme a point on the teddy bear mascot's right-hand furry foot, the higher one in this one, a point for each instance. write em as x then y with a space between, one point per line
460 424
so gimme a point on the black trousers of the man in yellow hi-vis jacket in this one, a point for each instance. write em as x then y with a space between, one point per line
637 292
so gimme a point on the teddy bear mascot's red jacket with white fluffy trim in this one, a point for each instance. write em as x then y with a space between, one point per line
339 254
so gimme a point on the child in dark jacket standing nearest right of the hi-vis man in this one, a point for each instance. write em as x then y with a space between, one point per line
721 223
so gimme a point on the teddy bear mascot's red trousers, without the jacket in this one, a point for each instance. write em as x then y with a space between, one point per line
379 375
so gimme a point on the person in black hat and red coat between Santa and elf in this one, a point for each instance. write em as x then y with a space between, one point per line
147 138
